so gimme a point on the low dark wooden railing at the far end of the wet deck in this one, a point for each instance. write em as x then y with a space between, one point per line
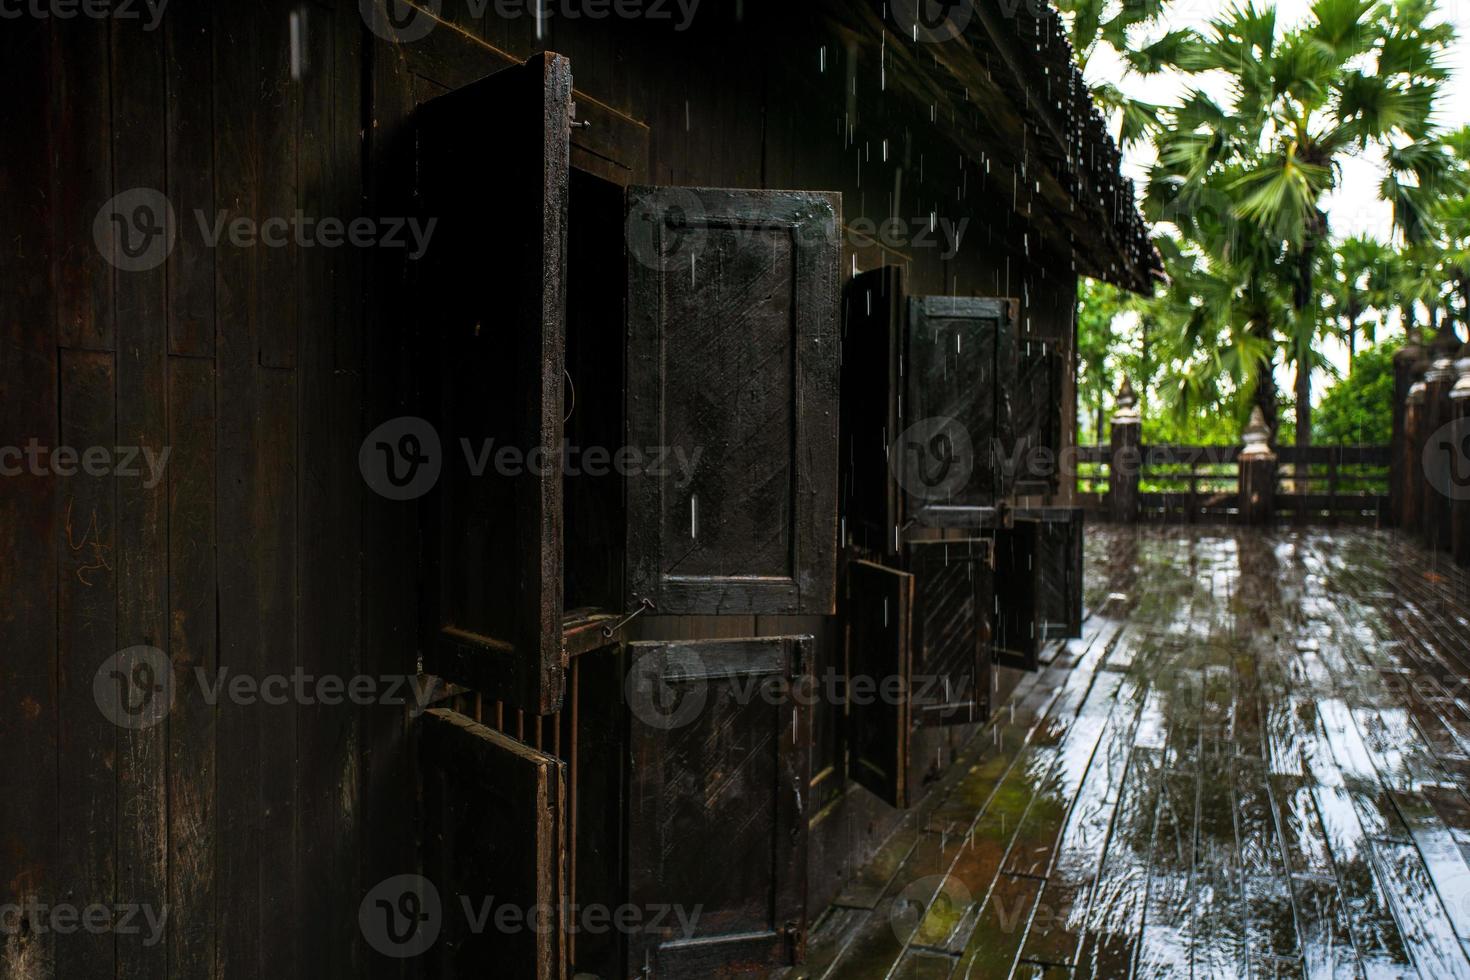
1202 483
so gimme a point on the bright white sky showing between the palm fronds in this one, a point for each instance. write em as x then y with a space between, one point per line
1355 208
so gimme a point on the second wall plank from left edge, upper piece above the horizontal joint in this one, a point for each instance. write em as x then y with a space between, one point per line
82 181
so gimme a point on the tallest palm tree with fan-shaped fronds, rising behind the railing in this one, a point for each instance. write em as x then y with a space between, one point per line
1358 76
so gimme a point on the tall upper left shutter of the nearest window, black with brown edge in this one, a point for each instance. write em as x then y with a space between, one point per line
493 170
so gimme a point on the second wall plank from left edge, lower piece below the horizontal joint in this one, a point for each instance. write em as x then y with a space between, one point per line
87 738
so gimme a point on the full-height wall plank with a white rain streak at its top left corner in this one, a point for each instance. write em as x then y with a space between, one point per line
329 491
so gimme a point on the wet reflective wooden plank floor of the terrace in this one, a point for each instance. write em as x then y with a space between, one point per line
1255 765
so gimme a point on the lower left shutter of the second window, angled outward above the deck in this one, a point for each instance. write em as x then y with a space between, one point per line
878 613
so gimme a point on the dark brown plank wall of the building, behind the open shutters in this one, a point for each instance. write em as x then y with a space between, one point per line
262 550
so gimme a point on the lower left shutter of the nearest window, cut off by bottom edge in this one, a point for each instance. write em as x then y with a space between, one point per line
495 829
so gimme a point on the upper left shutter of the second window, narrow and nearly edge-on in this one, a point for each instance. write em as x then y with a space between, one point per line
872 327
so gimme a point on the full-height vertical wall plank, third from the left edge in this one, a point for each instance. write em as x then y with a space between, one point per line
140 296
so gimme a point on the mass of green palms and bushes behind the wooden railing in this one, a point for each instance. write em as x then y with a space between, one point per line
1256 278
